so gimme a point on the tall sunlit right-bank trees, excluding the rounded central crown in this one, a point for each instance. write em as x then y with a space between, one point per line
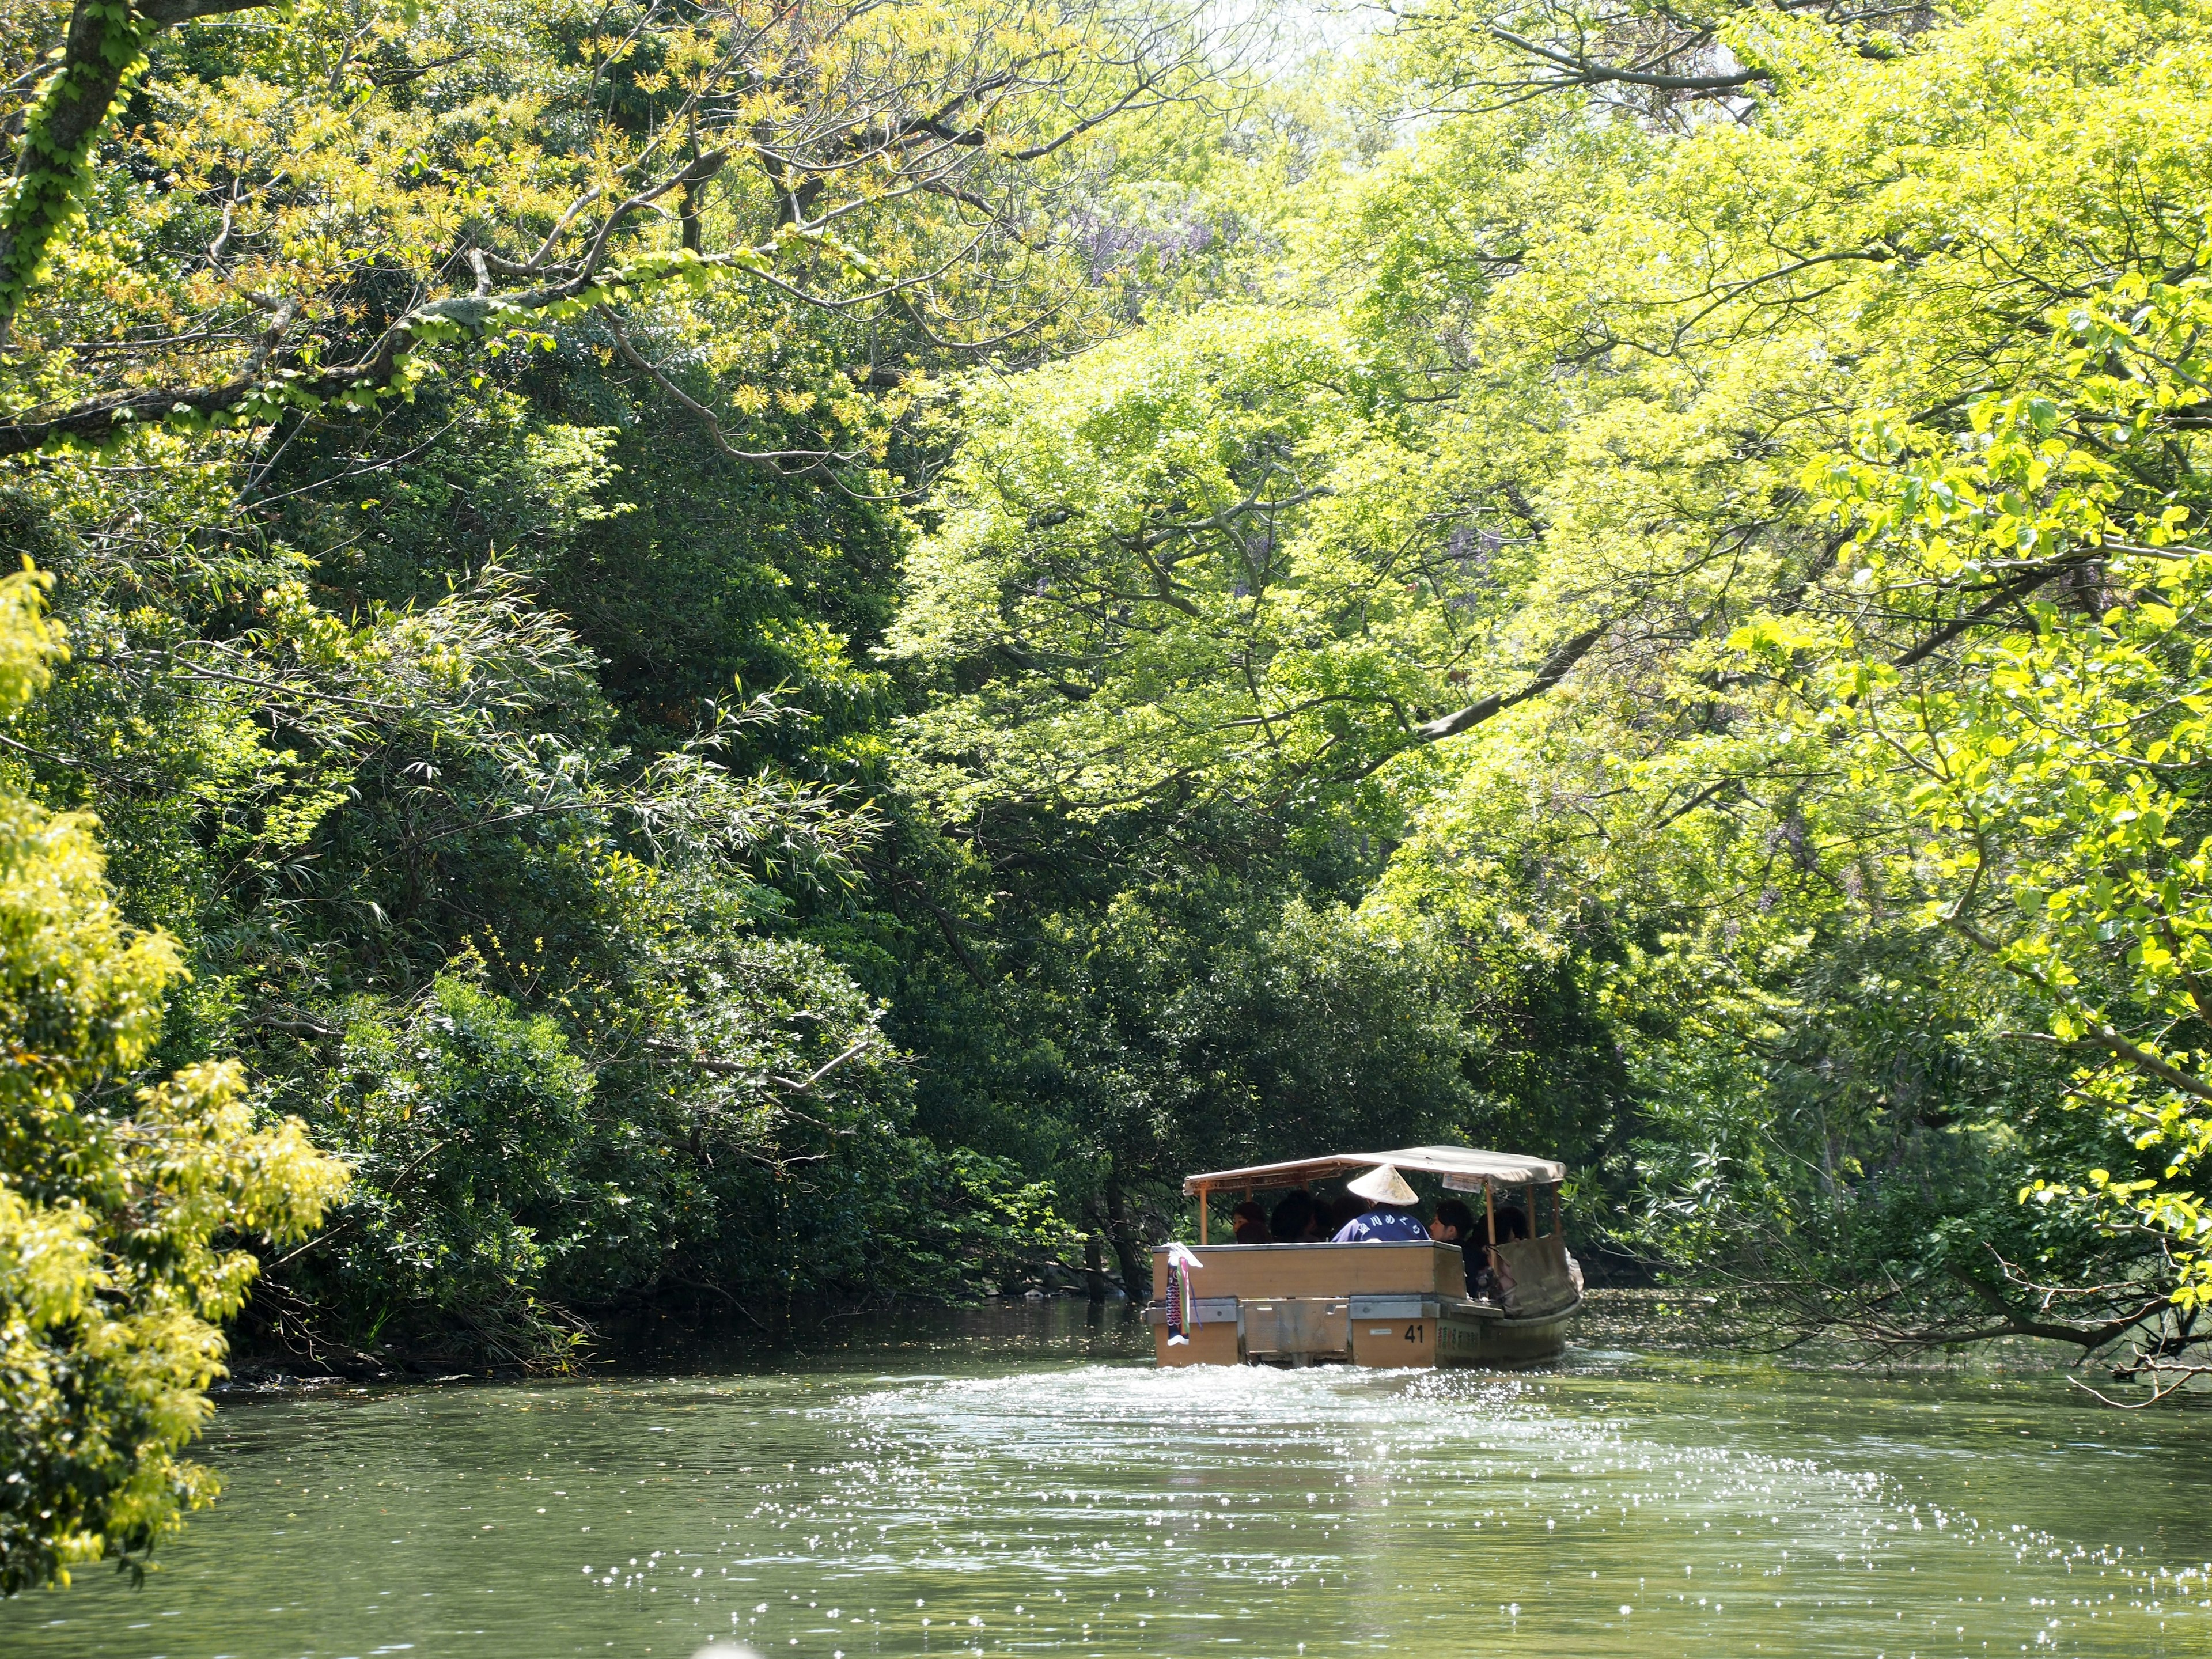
1782 789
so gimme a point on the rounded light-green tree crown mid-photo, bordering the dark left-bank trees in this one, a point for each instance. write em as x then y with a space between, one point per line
1185 556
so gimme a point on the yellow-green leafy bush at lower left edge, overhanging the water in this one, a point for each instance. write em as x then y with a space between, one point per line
123 1207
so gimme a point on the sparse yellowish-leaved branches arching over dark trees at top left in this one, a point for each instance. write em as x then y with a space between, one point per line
881 165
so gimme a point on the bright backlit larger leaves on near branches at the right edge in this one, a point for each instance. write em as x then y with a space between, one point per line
2052 782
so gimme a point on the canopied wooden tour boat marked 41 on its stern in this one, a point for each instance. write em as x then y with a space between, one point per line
1373 1304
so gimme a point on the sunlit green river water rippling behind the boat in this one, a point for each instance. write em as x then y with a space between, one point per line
1023 1481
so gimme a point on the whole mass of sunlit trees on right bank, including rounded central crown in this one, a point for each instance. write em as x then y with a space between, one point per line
1503 536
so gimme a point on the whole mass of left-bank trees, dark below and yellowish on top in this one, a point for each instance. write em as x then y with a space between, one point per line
351 348
